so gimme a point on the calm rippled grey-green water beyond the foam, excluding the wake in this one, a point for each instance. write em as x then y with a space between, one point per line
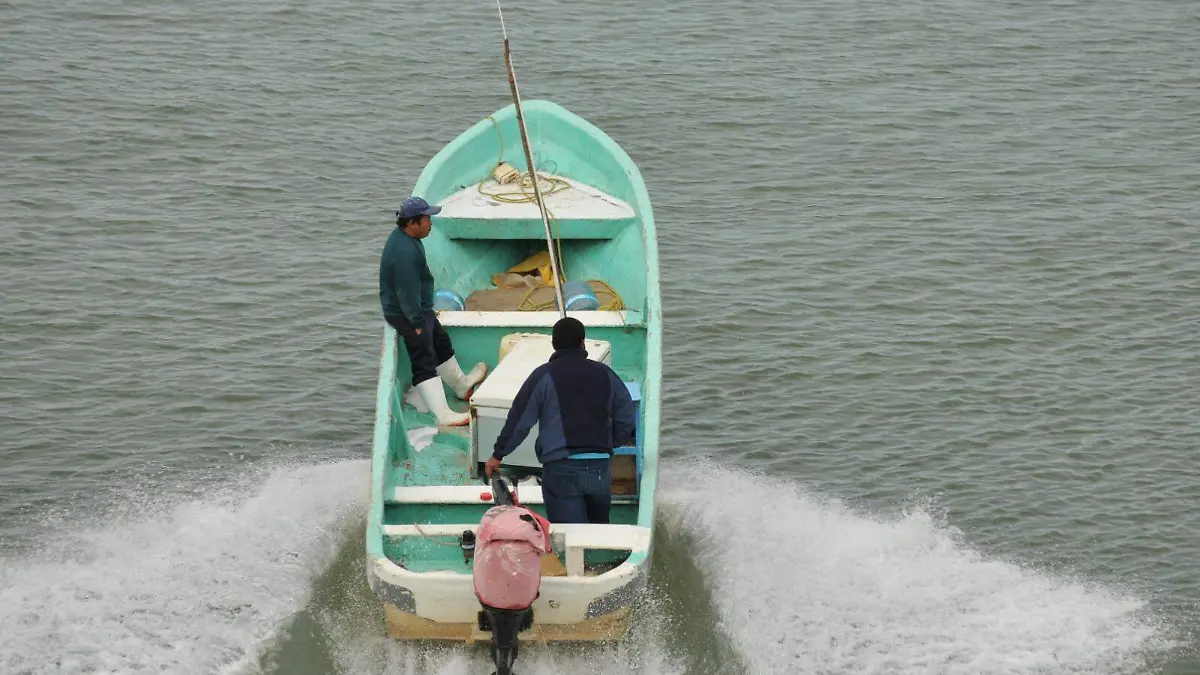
913 250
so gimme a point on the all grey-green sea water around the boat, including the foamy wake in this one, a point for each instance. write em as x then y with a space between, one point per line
932 297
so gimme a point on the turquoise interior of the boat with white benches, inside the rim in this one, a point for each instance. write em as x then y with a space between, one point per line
489 249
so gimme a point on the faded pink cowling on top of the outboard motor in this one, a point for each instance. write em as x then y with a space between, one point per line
509 547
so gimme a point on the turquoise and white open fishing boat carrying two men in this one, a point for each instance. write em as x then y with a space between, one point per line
589 216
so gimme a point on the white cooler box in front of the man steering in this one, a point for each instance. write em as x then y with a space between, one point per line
521 354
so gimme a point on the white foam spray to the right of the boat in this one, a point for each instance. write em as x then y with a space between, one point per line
806 586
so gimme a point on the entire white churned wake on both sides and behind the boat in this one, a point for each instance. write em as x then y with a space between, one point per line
791 583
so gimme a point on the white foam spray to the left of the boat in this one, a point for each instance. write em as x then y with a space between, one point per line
187 588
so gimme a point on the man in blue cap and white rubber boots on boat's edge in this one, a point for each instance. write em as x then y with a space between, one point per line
406 294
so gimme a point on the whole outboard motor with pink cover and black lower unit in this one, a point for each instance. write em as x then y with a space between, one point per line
509 547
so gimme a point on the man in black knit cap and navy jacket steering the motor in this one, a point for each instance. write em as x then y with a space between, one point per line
583 411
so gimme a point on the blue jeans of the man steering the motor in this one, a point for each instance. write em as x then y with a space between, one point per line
578 491
